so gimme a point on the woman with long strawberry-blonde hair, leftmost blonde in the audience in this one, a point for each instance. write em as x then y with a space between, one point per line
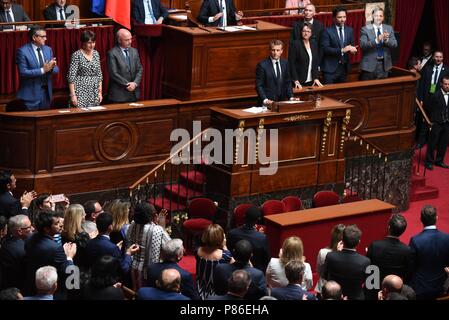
73 232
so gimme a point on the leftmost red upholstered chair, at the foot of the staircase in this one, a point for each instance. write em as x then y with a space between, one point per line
201 212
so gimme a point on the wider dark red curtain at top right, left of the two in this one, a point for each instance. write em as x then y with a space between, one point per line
408 16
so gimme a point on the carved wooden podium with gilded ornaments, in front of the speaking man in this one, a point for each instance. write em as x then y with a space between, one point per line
310 149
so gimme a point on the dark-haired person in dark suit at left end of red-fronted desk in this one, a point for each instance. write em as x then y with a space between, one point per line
259 240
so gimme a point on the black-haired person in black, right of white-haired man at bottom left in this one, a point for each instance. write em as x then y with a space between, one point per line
104 282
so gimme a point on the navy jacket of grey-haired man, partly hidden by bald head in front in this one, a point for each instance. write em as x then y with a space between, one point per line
188 287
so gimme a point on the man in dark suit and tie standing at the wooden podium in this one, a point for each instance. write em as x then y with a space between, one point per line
273 81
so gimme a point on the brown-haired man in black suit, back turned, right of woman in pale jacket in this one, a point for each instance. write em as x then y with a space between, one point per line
347 267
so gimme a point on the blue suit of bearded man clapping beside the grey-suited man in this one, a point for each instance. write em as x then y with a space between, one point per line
332 56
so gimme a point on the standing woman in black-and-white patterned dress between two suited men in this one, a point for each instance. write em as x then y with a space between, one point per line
85 77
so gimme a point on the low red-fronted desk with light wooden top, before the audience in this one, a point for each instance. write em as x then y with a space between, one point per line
314 226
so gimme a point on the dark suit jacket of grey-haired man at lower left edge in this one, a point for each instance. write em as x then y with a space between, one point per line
12 263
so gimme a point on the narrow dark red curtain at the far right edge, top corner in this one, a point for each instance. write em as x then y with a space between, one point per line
441 15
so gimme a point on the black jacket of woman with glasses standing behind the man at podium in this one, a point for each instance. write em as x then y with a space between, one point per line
299 59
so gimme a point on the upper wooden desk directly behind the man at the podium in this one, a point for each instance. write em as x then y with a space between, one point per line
204 64
